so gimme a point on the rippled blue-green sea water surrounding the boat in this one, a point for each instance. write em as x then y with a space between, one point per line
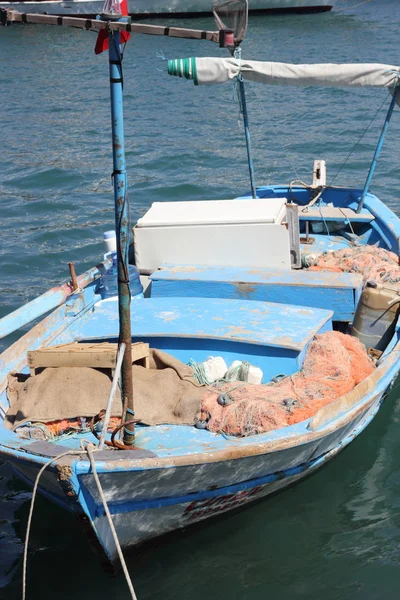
336 535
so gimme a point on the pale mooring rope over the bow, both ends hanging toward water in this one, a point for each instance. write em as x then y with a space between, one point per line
89 450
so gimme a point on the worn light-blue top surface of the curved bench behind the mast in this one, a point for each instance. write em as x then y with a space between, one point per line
266 324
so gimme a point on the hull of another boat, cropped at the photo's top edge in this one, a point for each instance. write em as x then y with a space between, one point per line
163 8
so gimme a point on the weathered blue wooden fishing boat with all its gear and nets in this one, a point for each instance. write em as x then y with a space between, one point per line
243 367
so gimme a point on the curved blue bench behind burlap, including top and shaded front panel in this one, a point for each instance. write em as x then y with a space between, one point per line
269 335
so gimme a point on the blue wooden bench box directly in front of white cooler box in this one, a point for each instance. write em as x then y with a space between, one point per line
331 291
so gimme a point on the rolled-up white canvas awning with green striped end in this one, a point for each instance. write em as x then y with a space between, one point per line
219 70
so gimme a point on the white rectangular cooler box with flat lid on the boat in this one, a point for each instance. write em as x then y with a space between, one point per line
237 233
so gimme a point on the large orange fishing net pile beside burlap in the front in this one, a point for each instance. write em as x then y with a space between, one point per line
334 364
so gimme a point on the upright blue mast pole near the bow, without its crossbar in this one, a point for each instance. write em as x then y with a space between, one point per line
122 227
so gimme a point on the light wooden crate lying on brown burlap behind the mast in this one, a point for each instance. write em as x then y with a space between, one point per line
102 356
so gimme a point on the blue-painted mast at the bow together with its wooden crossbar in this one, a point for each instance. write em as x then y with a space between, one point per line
114 23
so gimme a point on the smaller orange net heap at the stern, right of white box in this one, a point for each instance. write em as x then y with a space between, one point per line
373 263
